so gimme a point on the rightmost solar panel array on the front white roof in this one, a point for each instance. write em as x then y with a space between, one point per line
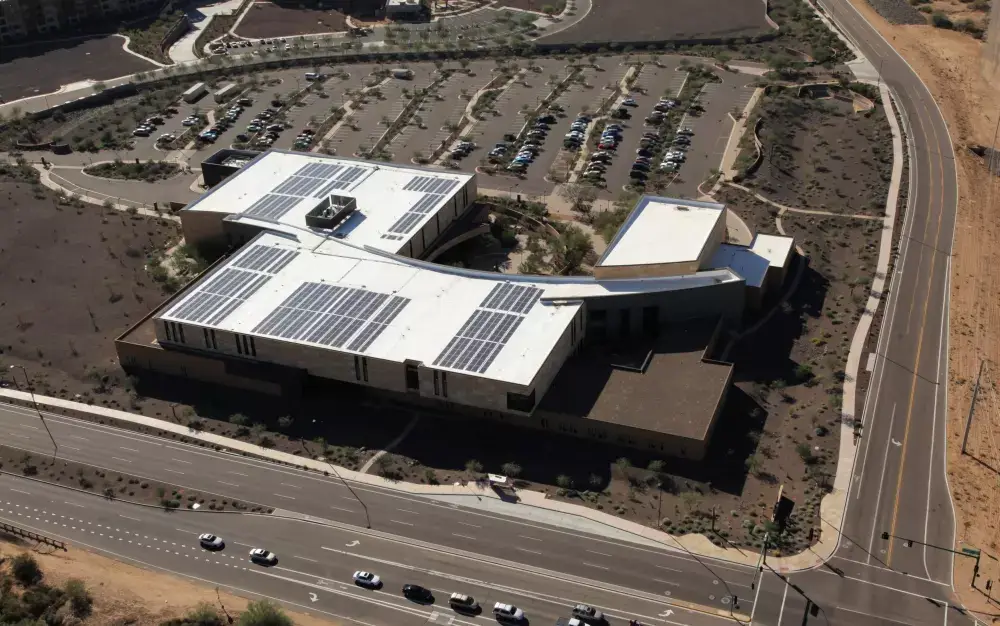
475 346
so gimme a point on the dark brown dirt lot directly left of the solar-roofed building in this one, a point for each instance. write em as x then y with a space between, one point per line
73 279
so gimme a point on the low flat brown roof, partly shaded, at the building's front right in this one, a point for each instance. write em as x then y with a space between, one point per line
678 393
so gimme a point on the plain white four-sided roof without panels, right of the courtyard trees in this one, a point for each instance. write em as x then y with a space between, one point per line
663 230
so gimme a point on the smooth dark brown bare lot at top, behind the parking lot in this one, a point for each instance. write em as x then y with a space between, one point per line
651 20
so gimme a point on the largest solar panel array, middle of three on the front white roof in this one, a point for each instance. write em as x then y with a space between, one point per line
332 315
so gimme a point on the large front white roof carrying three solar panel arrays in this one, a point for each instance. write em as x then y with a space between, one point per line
440 306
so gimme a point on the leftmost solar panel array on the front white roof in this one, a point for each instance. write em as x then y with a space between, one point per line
213 301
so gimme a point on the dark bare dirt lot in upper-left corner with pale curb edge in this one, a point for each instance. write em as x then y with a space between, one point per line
40 69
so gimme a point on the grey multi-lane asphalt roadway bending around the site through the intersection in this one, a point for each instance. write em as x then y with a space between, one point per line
899 487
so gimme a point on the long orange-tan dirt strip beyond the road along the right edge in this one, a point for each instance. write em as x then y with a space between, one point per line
948 63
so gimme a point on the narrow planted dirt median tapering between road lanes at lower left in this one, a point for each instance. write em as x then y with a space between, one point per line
115 485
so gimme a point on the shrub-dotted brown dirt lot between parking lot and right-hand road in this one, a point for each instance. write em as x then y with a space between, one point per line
849 160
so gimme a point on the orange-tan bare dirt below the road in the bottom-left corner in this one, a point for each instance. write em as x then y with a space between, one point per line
125 594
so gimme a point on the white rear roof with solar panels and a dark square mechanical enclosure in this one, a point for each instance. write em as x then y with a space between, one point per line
280 187
